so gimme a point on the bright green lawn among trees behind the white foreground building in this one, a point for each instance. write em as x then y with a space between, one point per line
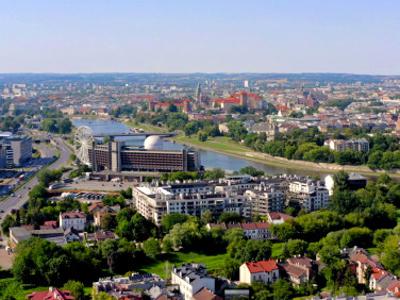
213 263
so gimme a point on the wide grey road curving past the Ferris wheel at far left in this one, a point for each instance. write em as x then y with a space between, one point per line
20 197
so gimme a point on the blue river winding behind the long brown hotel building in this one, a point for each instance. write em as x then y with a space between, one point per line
209 159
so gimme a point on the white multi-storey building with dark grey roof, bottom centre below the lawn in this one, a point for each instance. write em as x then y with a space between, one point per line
191 278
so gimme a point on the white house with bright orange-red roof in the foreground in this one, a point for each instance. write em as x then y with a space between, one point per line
265 271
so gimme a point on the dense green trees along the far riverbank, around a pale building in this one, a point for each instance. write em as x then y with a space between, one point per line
308 145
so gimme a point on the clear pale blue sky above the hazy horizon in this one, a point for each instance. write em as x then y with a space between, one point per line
174 36
